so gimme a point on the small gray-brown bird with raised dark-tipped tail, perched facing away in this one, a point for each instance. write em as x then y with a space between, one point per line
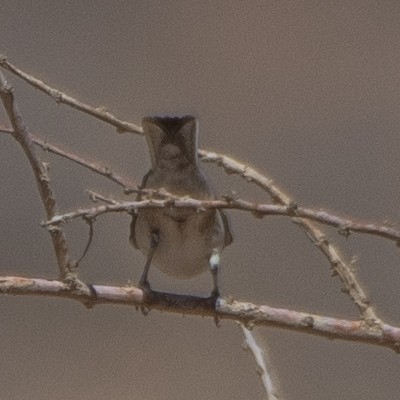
180 242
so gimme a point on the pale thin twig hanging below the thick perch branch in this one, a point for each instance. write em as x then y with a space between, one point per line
263 368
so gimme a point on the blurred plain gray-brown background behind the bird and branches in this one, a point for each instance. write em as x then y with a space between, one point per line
307 92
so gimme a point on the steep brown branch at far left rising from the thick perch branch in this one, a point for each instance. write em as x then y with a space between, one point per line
21 135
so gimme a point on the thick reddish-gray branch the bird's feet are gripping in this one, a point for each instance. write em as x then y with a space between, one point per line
248 313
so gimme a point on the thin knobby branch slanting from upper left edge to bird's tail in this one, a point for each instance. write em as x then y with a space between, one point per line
60 97
